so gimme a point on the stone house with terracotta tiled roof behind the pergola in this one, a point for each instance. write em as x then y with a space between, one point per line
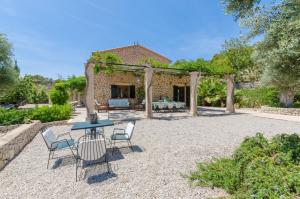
129 83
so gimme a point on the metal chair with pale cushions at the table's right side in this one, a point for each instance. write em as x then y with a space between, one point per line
123 135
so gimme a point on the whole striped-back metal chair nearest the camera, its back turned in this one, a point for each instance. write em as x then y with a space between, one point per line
90 151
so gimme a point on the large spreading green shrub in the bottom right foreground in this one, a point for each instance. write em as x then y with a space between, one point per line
258 169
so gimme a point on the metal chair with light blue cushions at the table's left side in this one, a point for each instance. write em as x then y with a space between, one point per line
54 143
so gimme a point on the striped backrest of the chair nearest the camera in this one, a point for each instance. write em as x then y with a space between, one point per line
91 148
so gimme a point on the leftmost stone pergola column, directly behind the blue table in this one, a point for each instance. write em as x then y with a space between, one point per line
89 89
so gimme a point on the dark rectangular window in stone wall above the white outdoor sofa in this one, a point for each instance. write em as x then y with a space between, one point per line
121 91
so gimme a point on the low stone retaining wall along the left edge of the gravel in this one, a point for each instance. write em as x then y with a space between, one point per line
15 140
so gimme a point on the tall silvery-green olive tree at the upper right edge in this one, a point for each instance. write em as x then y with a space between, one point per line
278 53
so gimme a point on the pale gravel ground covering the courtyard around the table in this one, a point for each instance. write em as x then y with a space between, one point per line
163 150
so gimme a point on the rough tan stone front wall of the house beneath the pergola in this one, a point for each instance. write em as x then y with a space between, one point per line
162 84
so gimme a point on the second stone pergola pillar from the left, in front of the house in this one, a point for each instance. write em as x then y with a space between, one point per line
148 91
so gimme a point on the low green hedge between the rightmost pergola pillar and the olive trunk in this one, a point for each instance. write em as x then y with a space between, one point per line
257 97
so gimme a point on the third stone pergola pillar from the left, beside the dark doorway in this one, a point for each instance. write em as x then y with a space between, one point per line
193 93
